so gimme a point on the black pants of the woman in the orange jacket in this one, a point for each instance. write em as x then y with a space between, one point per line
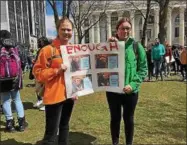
57 118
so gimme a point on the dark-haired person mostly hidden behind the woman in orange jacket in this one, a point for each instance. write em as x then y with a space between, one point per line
42 42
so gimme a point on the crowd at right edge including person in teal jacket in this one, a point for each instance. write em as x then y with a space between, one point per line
163 59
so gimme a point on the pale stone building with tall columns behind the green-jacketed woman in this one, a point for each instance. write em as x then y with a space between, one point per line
176 27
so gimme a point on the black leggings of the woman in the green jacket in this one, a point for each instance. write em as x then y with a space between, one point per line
128 103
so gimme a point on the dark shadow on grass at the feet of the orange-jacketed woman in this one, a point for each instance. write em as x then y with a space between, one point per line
78 138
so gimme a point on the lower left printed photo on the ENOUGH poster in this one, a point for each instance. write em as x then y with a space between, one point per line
80 83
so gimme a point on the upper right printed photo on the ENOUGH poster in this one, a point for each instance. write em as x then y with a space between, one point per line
108 61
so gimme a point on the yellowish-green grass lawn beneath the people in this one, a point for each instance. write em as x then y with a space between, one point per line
160 117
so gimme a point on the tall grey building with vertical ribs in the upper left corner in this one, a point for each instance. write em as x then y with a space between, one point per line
24 19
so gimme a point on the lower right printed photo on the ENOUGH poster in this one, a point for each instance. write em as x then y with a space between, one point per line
108 79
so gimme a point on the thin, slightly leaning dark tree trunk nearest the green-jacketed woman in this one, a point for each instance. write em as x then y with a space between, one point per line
145 22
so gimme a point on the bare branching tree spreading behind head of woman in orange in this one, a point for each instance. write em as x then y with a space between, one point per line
80 12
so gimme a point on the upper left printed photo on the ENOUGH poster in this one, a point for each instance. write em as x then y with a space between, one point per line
79 62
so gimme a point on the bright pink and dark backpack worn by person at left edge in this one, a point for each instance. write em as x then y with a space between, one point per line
9 62
